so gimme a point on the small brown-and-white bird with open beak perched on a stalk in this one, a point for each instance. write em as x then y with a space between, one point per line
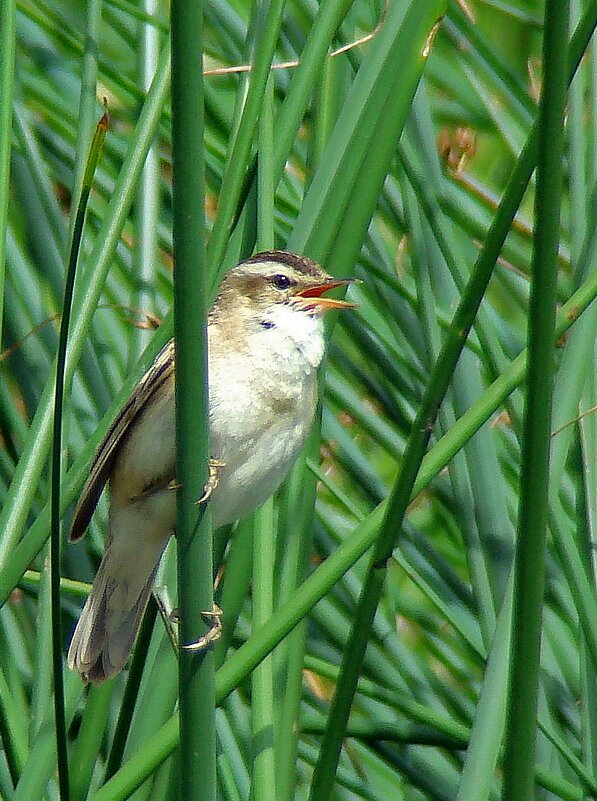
265 341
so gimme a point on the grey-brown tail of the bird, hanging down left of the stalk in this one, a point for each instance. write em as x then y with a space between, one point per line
106 631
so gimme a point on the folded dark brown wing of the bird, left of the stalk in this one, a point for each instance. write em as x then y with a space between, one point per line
161 369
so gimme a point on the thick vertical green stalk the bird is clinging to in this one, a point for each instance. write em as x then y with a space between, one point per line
195 570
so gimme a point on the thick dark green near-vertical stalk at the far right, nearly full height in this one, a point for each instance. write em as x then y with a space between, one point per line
529 577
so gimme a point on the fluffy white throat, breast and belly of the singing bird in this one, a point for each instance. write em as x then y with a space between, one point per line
262 402
